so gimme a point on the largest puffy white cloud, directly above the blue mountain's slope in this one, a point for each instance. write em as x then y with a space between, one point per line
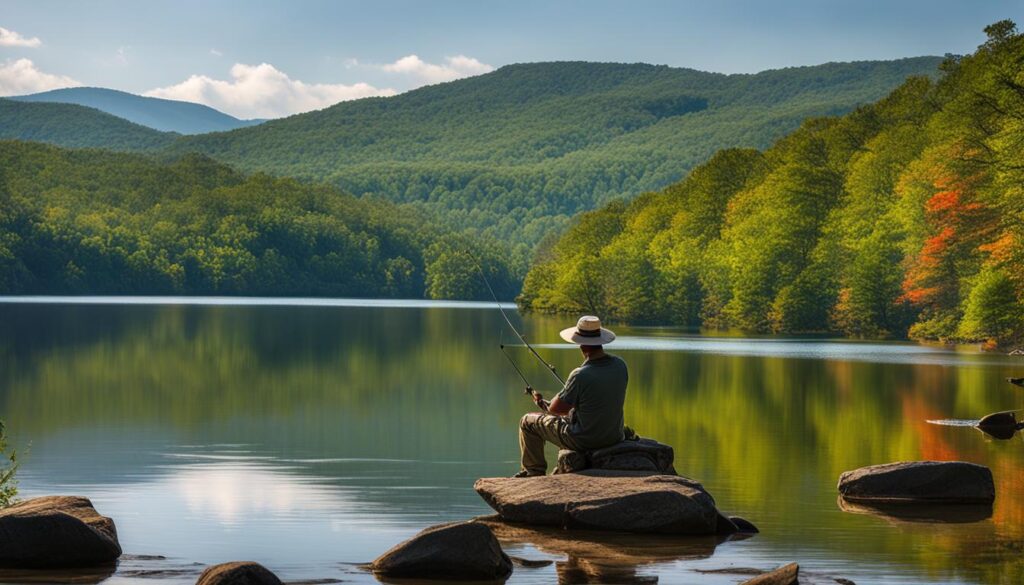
264 92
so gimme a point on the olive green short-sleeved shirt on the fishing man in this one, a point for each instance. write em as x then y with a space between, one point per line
596 392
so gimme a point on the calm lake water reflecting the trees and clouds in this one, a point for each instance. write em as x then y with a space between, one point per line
315 437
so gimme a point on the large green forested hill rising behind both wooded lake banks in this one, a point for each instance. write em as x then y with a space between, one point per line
521 150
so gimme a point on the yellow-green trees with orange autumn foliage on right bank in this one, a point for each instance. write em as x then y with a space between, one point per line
906 218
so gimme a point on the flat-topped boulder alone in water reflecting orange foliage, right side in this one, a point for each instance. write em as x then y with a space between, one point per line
920 482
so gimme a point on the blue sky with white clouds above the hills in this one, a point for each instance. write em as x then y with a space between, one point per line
273 59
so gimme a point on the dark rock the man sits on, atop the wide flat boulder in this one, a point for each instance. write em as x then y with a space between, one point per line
636 455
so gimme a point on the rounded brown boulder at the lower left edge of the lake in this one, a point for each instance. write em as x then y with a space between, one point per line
57 532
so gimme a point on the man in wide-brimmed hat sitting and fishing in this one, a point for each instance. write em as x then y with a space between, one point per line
587 414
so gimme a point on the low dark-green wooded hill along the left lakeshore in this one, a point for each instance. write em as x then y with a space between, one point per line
93 222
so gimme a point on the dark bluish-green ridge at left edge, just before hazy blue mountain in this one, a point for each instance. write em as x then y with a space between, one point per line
76 127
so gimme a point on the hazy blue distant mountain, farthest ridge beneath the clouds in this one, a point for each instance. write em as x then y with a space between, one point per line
163 115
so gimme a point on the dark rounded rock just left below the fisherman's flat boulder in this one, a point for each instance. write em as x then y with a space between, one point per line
457 552
